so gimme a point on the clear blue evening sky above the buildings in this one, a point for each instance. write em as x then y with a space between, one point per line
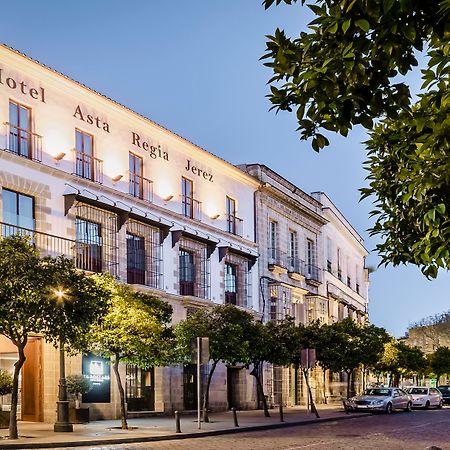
193 67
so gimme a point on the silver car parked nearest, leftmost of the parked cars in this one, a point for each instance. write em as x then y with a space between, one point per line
381 399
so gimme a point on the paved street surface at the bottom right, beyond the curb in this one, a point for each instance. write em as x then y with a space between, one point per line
405 431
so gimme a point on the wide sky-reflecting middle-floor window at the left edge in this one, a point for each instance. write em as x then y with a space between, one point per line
18 209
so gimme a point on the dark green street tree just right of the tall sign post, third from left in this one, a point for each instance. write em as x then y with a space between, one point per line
225 326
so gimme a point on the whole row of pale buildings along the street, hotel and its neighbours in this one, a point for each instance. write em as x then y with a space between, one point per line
95 181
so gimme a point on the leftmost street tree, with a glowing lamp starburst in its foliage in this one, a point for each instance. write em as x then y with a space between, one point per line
29 304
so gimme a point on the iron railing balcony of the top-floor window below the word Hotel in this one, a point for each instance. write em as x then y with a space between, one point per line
23 142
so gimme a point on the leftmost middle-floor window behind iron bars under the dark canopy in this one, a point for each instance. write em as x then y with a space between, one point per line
89 245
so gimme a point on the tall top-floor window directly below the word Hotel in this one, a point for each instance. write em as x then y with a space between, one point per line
20 130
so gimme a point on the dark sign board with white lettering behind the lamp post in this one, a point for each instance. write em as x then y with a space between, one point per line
98 371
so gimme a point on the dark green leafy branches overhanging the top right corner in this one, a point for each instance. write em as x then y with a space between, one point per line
347 70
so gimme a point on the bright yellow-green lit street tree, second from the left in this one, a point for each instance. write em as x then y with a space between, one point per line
135 330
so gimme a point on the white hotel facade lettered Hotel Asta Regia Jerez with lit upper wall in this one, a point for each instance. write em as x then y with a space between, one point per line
91 179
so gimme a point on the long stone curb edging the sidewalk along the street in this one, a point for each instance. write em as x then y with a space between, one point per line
171 437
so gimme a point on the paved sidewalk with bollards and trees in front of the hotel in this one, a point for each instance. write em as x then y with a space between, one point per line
156 428
